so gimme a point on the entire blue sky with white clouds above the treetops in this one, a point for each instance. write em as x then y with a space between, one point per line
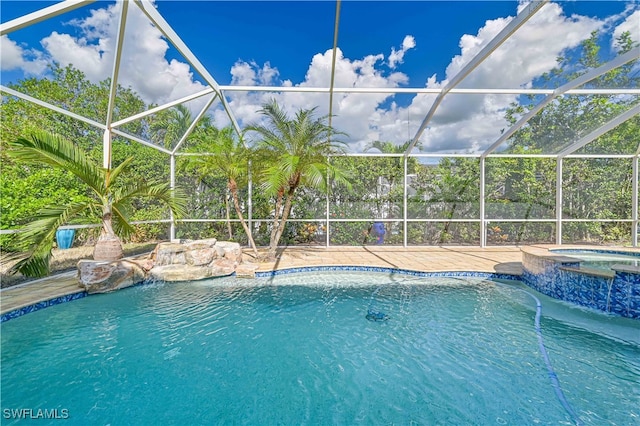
382 44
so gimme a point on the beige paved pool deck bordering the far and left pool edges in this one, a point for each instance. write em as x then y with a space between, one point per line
504 260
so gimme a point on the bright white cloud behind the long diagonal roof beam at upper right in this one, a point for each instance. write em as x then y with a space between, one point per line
473 122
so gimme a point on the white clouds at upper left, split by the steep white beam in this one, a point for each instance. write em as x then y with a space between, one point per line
144 66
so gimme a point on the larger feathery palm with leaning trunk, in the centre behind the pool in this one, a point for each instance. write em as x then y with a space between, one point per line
296 151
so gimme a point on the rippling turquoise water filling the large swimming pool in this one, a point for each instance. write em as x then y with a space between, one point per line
452 351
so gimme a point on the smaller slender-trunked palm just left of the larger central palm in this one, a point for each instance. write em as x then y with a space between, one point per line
229 158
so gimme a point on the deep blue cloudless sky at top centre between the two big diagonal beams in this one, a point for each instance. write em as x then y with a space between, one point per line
288 39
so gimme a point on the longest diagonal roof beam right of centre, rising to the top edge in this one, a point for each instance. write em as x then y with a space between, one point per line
500 38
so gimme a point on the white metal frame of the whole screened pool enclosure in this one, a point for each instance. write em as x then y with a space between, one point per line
217 91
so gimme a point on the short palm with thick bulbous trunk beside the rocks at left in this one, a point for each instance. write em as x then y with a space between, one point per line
107 200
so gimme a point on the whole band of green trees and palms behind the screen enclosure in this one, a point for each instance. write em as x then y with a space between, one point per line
296 166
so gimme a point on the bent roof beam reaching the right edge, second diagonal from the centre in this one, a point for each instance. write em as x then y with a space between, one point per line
584 78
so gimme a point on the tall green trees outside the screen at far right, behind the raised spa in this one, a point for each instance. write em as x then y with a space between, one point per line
592 188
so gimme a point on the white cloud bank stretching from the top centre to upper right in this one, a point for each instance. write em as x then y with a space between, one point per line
462 122
